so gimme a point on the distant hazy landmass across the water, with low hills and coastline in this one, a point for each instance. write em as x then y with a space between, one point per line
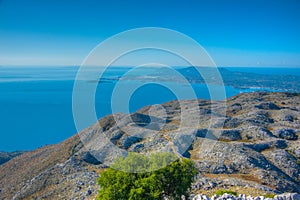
236 79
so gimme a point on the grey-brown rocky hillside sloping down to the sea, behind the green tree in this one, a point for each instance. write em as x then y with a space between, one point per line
250 146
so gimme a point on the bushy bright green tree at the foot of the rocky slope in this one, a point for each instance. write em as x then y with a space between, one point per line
155 180
